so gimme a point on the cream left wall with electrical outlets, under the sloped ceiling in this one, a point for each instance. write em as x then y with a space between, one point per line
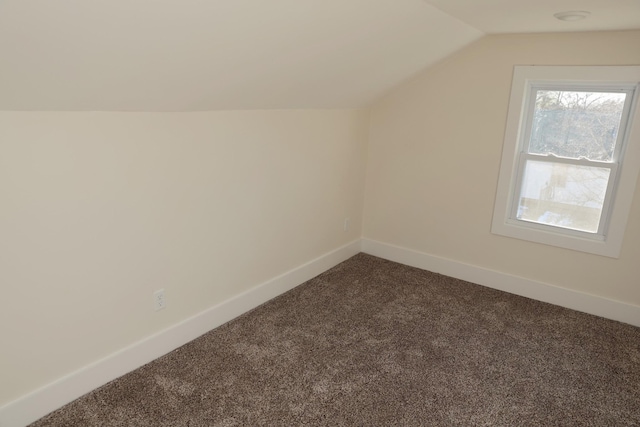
101 209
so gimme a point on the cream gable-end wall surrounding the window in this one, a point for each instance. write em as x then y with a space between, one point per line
434 156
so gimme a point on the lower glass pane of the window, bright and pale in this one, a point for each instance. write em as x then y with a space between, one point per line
563 195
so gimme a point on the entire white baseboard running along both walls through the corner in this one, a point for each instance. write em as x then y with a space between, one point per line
52 396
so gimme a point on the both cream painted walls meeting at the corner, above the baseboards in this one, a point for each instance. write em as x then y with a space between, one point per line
99 209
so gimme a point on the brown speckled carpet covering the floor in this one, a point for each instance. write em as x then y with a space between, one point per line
370 343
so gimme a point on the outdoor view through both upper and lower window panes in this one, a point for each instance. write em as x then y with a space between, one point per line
572 125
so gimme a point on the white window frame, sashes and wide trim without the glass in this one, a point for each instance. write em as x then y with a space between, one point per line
624 167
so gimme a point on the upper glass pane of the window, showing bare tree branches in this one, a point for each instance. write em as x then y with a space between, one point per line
576 124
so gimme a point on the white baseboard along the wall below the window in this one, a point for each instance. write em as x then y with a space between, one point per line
568 298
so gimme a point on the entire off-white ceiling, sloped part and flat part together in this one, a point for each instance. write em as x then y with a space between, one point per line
187 55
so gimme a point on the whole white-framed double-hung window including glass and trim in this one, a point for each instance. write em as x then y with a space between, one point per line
571 158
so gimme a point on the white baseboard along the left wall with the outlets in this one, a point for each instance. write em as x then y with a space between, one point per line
40 402
